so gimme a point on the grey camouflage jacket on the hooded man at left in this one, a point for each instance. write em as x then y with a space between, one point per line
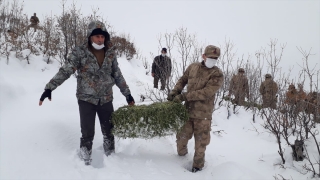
93 83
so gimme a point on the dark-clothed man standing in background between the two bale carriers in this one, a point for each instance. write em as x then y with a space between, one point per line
161 69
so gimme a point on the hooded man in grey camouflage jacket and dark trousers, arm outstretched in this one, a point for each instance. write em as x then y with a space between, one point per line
97 67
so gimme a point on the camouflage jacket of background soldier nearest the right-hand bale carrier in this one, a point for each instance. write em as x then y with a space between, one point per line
239 84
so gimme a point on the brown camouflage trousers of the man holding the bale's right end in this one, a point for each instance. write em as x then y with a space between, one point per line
201 131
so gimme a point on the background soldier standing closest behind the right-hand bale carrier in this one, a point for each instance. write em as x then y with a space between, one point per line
239 87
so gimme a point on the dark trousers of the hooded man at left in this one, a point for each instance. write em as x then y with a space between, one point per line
88 113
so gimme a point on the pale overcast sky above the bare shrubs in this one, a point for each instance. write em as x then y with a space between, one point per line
249 24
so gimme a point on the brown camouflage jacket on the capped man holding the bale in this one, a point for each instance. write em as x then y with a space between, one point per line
203 83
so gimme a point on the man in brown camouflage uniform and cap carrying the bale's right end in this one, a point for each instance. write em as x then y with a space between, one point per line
203 80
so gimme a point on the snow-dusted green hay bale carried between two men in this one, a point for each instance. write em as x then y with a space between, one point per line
149 121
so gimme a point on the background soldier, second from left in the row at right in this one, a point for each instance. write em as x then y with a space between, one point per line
268 90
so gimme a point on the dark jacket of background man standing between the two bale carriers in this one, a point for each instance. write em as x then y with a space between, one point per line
161 66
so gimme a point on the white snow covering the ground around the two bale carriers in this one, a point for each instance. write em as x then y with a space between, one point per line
41 142
